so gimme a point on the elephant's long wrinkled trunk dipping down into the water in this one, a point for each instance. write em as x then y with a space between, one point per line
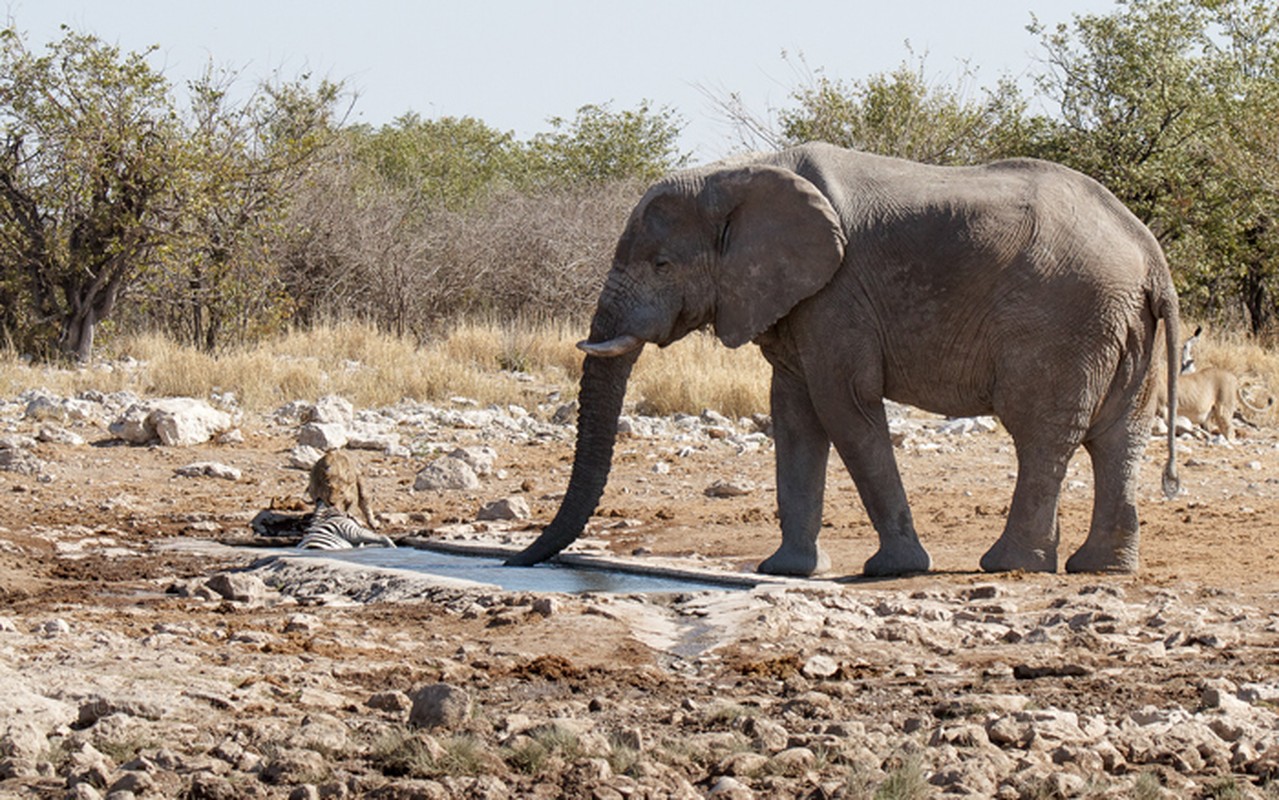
603 388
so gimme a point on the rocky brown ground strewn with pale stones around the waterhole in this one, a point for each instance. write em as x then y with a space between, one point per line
145 651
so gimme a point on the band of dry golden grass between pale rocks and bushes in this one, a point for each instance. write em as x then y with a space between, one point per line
475 360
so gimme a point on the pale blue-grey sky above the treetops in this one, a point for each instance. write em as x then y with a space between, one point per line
516 65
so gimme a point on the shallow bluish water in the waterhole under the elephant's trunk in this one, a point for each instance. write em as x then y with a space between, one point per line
488 570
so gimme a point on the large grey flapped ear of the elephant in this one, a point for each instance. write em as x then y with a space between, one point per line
781 241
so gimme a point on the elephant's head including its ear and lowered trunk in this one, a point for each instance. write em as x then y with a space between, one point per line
736 249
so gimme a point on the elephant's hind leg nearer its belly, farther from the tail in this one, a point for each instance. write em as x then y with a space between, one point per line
1032 533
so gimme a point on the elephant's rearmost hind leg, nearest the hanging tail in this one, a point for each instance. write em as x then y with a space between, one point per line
1115 532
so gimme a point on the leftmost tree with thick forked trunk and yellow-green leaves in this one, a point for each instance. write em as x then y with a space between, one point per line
89 153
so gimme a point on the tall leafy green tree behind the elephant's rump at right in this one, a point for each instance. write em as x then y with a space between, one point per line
1172 106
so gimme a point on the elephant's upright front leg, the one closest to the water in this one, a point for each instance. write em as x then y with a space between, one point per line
803 451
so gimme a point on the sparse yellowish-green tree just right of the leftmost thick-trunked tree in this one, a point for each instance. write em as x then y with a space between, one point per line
242 164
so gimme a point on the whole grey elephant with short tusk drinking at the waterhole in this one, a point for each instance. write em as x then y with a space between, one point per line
1019 289
